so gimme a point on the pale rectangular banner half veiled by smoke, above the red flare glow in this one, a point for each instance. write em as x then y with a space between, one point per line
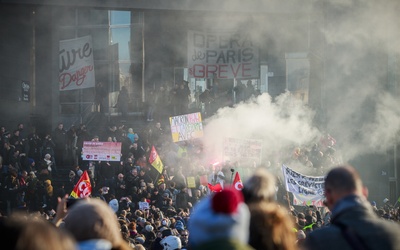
248 150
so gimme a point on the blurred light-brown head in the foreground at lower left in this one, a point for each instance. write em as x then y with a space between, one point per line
93 219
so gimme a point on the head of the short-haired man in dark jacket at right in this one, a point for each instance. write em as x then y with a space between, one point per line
340 182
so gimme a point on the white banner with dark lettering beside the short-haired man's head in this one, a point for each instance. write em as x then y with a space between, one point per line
306 190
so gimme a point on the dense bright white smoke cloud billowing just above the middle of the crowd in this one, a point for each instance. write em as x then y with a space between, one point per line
285 123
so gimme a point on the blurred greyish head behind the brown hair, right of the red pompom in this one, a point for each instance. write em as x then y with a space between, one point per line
259 187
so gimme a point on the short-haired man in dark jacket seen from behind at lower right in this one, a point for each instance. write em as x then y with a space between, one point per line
354 225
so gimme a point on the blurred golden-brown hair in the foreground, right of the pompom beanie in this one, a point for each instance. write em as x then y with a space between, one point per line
271 227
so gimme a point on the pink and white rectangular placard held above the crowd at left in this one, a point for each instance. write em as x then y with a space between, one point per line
101 151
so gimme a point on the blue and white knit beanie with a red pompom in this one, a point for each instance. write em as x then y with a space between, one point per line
222 215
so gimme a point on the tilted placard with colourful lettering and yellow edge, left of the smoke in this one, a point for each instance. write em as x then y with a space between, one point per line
186 127
